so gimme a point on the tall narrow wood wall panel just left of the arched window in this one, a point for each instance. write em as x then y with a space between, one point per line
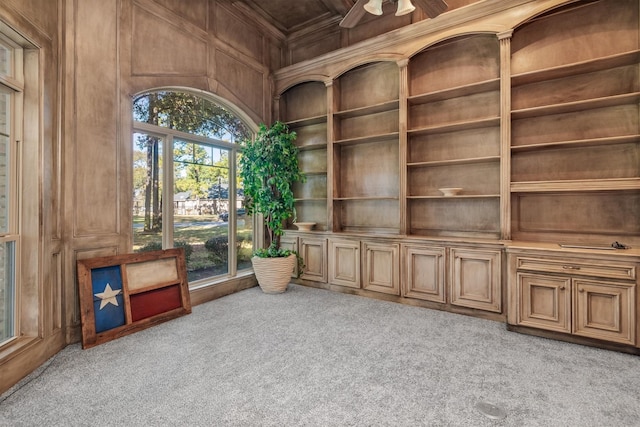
96 190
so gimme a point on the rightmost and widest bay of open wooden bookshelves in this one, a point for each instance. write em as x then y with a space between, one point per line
575 145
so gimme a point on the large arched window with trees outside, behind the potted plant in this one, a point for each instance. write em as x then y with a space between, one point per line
186 192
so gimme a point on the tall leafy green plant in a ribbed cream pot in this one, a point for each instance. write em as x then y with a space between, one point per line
269 168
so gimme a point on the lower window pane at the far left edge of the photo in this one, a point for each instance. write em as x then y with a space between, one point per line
7 291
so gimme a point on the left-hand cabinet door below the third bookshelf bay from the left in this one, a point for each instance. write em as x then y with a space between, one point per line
424 273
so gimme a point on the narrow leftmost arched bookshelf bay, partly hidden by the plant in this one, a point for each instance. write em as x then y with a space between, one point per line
304 108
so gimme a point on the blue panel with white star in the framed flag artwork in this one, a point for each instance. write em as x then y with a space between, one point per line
108 304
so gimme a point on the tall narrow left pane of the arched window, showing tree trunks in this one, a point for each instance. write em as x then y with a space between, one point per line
147 192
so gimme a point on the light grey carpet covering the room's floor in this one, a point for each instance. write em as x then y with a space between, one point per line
311 357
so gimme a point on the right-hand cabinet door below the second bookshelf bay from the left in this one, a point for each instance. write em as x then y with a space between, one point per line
380 263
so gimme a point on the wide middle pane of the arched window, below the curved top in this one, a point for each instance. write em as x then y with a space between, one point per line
201 197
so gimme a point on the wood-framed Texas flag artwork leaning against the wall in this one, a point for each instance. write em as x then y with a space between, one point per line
123 294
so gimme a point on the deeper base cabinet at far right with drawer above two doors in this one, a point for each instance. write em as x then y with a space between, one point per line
586 297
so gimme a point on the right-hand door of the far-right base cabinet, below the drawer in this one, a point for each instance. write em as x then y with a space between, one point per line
604 310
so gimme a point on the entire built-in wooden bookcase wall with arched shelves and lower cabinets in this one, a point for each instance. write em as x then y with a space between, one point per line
538 125
